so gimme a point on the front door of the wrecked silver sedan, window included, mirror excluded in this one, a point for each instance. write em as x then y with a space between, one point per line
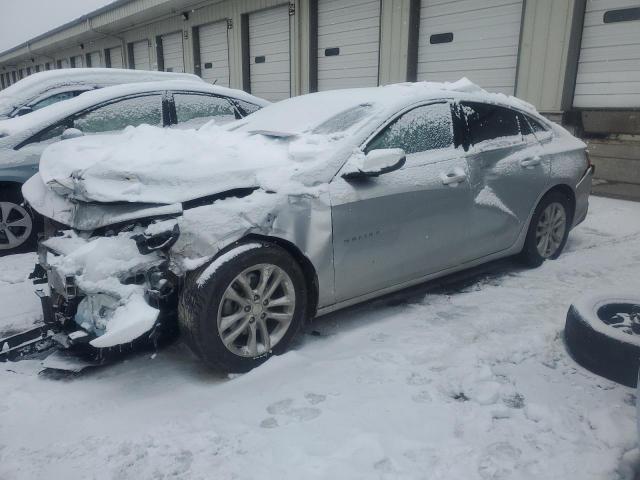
404 224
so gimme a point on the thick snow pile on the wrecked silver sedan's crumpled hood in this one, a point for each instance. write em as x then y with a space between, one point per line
155 165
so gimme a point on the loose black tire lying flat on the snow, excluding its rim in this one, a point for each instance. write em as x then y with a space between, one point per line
599 347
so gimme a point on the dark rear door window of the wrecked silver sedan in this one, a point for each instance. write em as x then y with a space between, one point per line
491 122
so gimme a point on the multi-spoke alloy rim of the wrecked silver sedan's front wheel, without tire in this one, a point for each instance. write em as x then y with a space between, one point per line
256 310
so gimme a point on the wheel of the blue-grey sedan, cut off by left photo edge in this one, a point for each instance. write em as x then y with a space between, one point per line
18 229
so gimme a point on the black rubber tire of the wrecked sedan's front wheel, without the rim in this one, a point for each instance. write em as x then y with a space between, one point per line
210 345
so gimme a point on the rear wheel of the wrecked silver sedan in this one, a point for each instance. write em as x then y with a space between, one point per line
558 206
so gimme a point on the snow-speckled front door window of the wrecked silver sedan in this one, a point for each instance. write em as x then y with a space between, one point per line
419 130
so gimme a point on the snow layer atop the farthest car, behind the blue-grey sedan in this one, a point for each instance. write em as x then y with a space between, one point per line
32 86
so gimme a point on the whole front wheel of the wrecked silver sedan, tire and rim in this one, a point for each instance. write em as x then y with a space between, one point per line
226 296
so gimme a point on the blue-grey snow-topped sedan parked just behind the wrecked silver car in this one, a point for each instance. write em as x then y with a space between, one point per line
185 104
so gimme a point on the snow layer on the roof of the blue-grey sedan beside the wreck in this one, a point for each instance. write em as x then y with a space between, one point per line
57 111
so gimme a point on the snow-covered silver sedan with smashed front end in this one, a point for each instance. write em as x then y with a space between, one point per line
244 232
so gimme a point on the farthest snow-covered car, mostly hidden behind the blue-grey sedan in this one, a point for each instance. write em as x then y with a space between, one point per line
46 88
